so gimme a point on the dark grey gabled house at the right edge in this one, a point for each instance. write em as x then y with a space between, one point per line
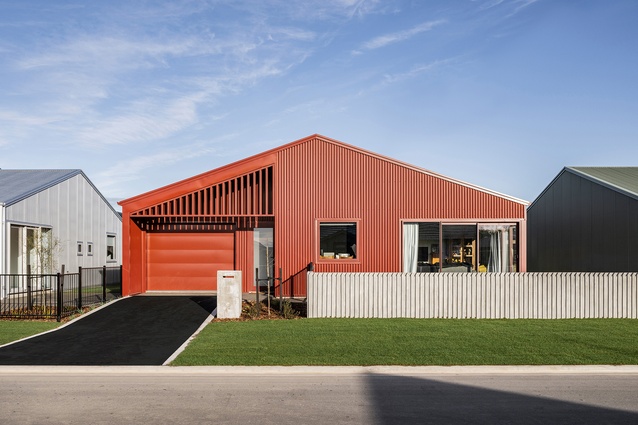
585 220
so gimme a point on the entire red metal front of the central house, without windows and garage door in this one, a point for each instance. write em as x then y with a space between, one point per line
293 188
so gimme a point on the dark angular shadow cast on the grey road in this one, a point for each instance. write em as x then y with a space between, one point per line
399 399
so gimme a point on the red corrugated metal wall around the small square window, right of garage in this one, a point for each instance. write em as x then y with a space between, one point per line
323 180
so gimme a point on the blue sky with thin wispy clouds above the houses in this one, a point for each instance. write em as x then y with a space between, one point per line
139 94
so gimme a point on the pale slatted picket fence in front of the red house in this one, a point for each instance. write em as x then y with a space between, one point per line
473 295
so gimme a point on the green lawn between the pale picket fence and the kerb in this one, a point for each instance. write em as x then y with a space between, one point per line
415 342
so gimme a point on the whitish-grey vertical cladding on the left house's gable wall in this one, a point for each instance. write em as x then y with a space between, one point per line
77 214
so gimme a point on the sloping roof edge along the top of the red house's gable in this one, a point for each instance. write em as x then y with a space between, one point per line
268 157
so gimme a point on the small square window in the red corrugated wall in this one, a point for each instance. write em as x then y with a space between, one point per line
338 241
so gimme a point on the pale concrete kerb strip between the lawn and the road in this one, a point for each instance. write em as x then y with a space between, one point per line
412 371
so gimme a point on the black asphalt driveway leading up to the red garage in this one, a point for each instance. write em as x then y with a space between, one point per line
142 330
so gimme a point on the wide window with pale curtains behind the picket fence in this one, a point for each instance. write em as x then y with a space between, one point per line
441 247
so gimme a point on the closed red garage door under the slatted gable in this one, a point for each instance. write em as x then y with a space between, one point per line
187 261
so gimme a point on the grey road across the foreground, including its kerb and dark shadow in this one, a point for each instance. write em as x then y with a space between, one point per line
307 395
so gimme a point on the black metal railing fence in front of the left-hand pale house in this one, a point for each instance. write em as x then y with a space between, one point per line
48 296
